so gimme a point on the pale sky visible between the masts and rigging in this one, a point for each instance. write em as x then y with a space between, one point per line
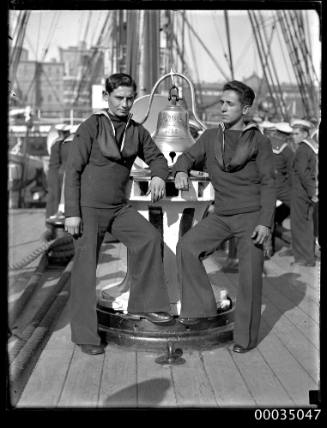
49 30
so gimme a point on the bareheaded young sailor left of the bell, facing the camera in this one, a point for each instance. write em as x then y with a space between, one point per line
98 169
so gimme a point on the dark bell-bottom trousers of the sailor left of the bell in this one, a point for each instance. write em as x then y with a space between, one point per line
148 289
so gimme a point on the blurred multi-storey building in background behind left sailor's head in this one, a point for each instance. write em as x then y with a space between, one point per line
59 90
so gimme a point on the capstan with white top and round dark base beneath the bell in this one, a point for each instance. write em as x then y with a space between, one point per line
173 215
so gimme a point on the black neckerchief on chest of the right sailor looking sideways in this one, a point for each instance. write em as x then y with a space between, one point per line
245 149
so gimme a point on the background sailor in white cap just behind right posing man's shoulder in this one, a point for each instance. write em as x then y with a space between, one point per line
283 160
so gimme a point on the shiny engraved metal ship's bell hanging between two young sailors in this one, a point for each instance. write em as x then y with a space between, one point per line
172 135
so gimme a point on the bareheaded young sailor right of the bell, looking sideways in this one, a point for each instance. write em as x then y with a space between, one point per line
239 161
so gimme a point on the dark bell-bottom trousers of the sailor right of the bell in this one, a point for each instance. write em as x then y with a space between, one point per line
197 297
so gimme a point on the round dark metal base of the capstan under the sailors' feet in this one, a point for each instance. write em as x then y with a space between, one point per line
139 333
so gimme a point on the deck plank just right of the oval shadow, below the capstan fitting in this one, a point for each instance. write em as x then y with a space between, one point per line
191 384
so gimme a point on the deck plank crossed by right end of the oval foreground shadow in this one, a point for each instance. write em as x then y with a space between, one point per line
155 386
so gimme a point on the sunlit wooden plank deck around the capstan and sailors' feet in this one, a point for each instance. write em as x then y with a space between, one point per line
280 372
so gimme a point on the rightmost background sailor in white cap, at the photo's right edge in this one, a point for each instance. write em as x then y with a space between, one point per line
304 193
